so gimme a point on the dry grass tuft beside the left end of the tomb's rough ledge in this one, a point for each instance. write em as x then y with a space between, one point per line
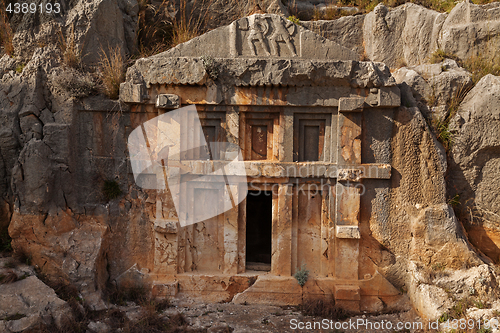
112 69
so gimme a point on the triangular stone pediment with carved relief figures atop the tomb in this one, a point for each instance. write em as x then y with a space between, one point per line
262 36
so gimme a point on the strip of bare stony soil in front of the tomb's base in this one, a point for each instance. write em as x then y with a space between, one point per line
227 317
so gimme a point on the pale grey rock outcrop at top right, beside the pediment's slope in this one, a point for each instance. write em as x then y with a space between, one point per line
410 33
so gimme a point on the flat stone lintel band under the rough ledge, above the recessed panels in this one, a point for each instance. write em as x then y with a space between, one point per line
272 96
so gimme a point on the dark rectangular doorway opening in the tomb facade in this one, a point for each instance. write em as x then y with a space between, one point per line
259 230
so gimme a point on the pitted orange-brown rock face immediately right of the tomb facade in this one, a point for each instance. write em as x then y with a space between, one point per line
421 229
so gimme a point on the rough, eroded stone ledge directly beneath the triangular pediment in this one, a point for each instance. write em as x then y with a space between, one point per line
261 71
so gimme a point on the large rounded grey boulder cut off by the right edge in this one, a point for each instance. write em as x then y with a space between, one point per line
474 164
